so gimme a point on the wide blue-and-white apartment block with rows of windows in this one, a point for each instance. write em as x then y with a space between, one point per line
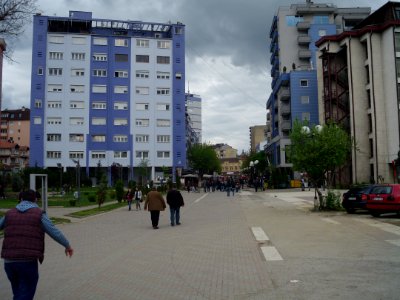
108 92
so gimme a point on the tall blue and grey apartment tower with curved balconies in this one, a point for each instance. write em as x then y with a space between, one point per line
293 34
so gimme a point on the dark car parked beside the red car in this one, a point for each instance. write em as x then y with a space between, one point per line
356 198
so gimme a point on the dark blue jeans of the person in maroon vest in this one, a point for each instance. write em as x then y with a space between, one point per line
24 277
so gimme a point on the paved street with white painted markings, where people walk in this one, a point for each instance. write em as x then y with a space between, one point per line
265 245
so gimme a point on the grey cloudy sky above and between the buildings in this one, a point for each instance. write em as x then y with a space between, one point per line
227 55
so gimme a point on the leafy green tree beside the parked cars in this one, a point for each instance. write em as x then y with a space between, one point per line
318 151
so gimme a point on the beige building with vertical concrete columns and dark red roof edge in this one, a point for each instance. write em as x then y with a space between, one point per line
359 88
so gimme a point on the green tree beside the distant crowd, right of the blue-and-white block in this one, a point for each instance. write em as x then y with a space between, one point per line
202 157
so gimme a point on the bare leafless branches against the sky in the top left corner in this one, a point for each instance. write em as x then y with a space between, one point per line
14 15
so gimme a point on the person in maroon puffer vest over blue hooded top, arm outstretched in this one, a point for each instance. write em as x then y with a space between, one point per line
23 245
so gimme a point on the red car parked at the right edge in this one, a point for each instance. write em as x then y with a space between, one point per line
384 199
